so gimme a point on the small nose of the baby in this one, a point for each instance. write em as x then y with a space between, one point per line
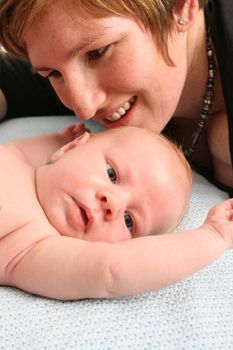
110 203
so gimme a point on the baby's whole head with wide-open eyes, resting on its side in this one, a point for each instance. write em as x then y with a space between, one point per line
115 185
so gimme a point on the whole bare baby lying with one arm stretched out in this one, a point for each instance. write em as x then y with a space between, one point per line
64 204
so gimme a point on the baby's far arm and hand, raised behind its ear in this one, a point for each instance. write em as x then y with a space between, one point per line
38 150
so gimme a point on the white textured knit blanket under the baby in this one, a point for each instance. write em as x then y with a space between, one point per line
195 314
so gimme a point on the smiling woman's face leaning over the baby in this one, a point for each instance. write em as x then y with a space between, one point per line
108 69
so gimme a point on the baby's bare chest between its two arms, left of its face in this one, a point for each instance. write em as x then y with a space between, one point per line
22 220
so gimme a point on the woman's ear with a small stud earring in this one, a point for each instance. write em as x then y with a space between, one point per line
185 14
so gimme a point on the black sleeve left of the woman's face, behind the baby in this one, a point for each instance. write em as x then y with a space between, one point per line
27 94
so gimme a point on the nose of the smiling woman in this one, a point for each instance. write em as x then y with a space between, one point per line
85 96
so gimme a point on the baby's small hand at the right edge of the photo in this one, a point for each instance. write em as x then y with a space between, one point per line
220 221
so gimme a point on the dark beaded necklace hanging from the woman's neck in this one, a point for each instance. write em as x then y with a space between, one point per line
208 98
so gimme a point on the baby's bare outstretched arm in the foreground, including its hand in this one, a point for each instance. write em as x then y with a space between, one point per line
68 268
